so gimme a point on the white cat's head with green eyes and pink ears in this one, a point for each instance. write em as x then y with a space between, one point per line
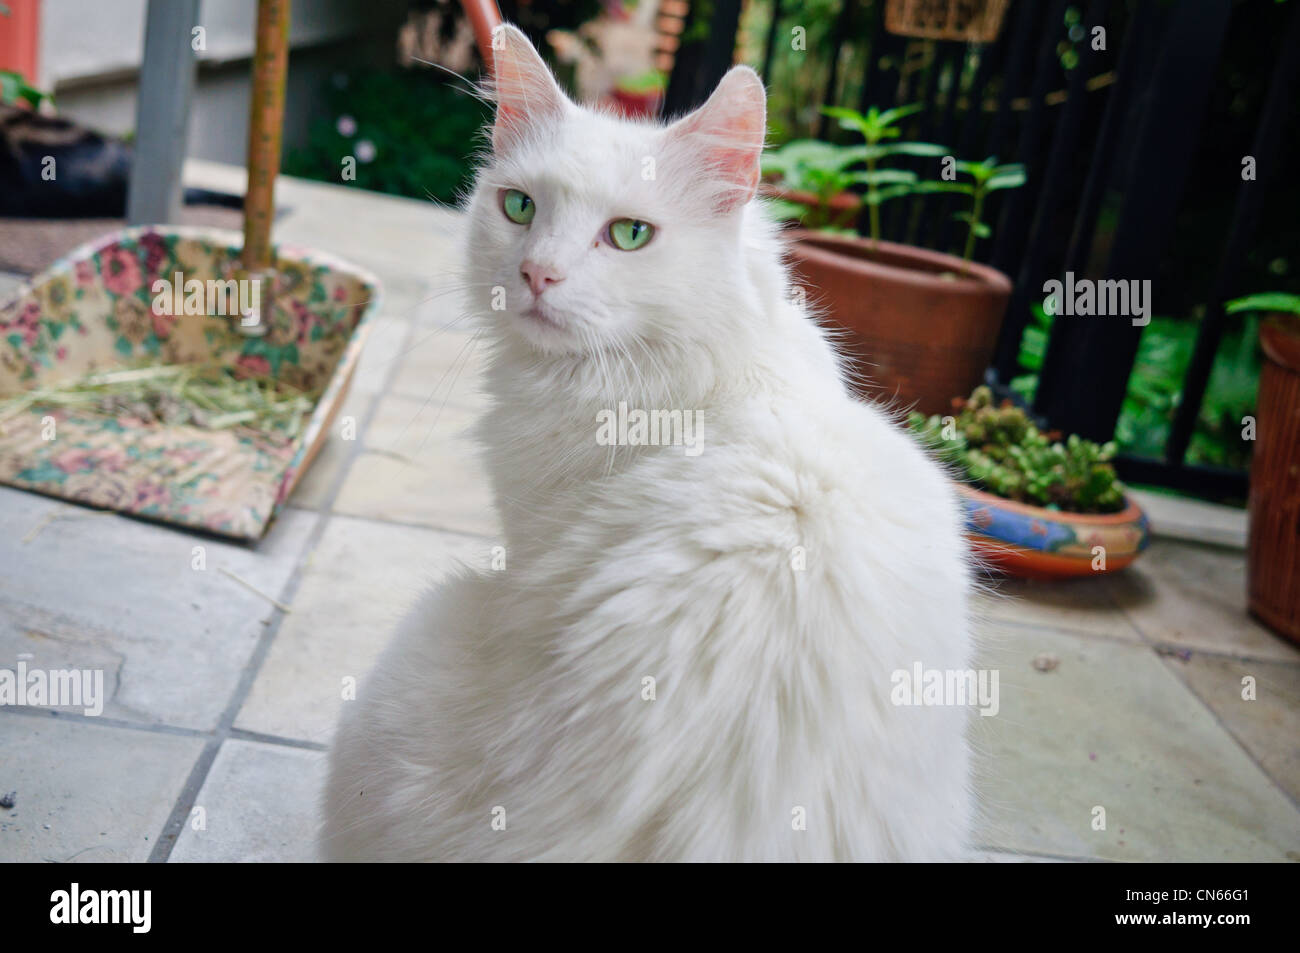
588 229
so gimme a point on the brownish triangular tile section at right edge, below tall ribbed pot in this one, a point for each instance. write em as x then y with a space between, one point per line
1269 725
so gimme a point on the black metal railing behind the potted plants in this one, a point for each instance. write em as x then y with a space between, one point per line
1117 131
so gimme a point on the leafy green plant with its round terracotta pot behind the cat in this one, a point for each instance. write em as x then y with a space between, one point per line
922 324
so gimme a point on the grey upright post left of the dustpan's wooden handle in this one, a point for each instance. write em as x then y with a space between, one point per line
163 112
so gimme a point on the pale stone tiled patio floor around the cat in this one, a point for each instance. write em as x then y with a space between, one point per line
213 744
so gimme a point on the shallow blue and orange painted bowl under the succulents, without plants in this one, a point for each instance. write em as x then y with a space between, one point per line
1034 543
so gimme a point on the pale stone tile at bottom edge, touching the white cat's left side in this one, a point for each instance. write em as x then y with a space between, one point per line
259 804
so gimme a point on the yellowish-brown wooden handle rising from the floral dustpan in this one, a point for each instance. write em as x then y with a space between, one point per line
266 131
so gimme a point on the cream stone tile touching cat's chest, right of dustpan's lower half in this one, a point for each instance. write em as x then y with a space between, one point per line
419 469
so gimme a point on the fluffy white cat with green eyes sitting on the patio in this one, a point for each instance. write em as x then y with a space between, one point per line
690 656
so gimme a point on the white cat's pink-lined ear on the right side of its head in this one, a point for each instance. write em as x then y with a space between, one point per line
726 135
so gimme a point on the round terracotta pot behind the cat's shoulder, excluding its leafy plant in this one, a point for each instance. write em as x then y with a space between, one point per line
922 326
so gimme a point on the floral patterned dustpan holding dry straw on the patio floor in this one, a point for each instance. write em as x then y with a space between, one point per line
92 313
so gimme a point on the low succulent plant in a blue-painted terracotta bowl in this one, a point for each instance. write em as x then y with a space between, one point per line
1037 506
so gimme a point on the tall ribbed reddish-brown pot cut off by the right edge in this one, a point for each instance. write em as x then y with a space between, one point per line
1273 558
